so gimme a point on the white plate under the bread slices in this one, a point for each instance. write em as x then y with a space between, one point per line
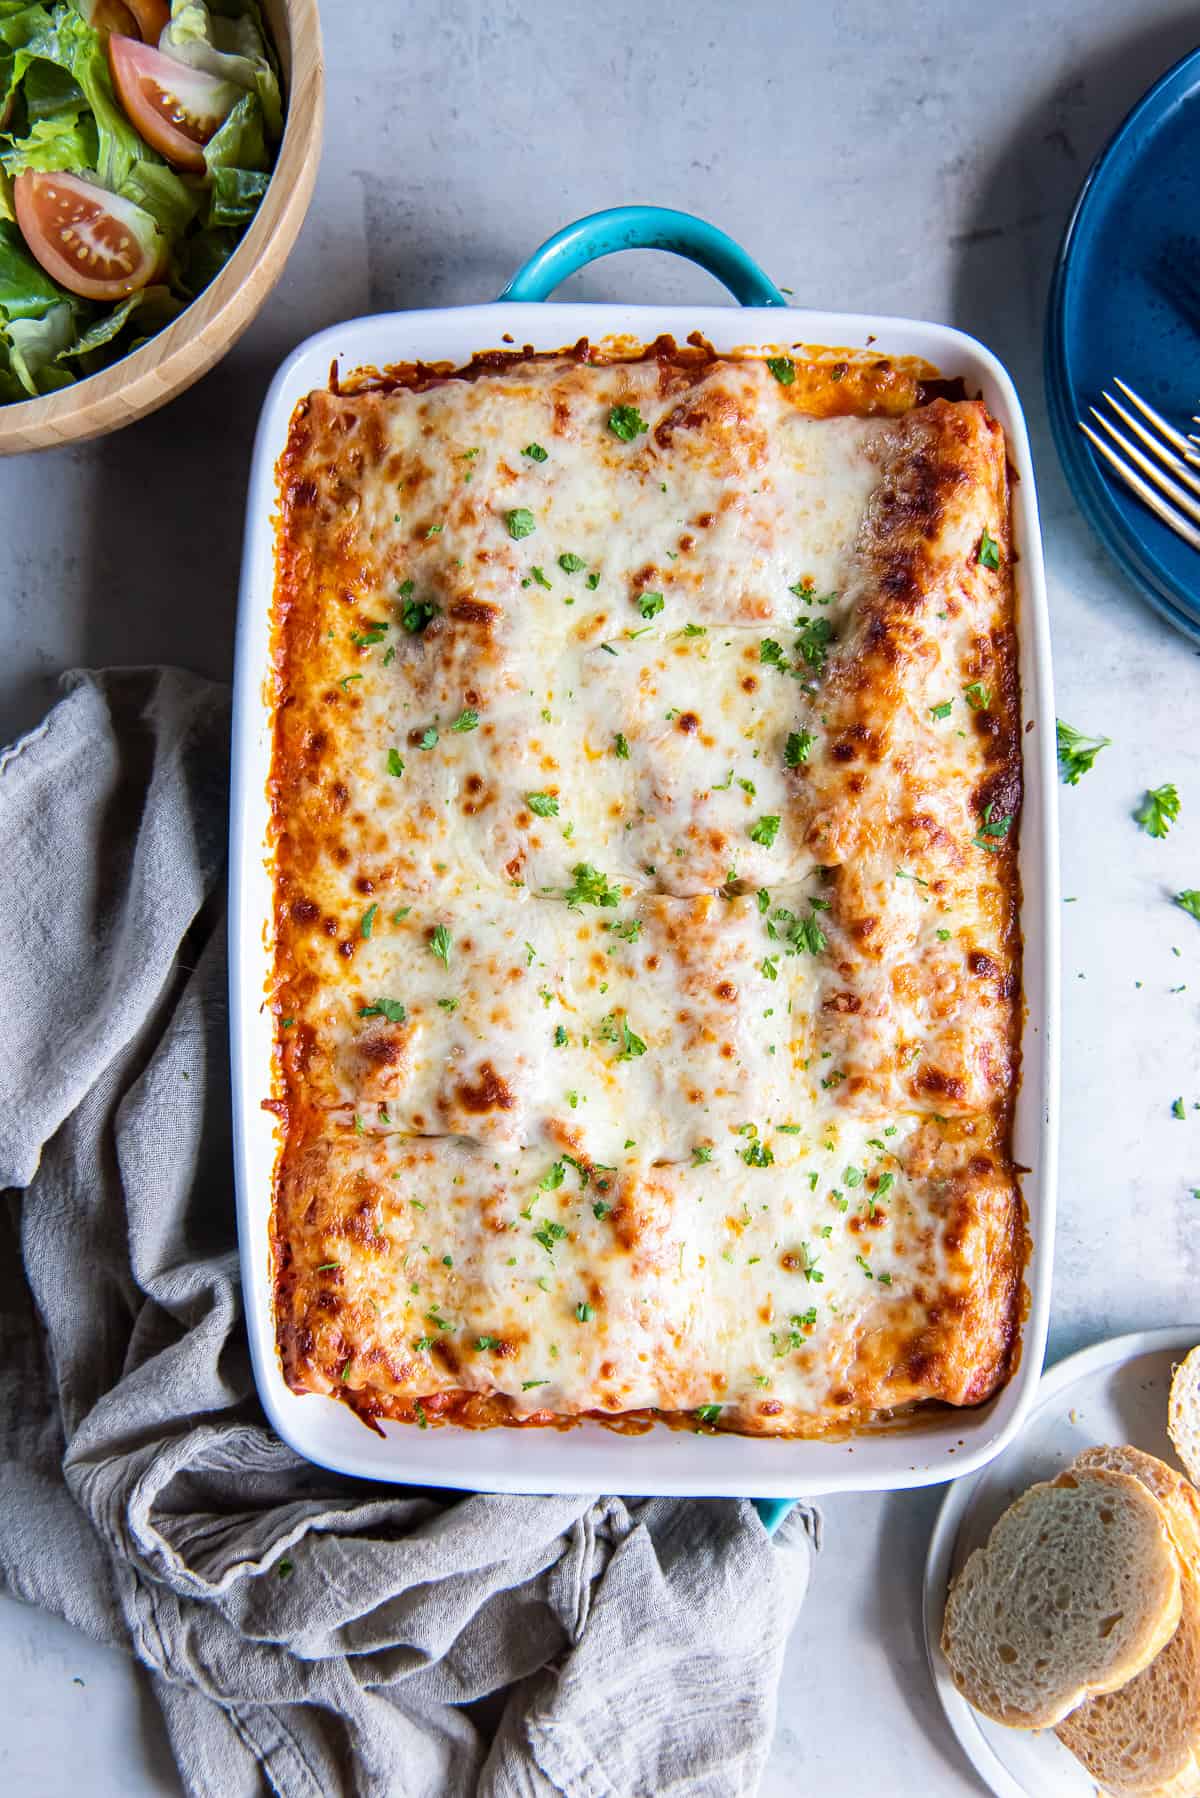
1115 1393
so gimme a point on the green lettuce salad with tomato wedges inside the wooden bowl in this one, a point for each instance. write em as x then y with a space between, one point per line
136 145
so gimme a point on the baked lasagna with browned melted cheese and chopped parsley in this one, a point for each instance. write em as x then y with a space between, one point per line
647 954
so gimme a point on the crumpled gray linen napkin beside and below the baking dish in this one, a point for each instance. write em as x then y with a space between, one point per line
307 1635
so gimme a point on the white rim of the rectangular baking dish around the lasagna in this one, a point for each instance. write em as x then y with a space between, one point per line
591 1459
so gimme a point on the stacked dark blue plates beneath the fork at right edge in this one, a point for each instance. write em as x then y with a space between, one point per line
1127 303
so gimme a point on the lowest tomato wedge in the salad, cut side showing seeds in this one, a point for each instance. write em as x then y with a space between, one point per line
91 242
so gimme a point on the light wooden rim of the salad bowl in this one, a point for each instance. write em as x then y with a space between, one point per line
215 321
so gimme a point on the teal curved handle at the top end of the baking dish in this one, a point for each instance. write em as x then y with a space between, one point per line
641 229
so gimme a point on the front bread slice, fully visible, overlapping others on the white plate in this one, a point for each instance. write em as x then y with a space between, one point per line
1075 1592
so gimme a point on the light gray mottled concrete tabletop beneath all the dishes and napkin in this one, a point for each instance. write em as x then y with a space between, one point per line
913 157
